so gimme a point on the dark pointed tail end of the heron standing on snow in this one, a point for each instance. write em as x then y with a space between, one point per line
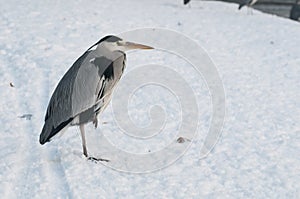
49 130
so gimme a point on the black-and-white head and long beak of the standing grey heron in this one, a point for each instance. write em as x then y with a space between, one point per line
114 43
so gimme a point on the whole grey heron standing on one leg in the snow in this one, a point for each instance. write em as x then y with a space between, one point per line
86 88
